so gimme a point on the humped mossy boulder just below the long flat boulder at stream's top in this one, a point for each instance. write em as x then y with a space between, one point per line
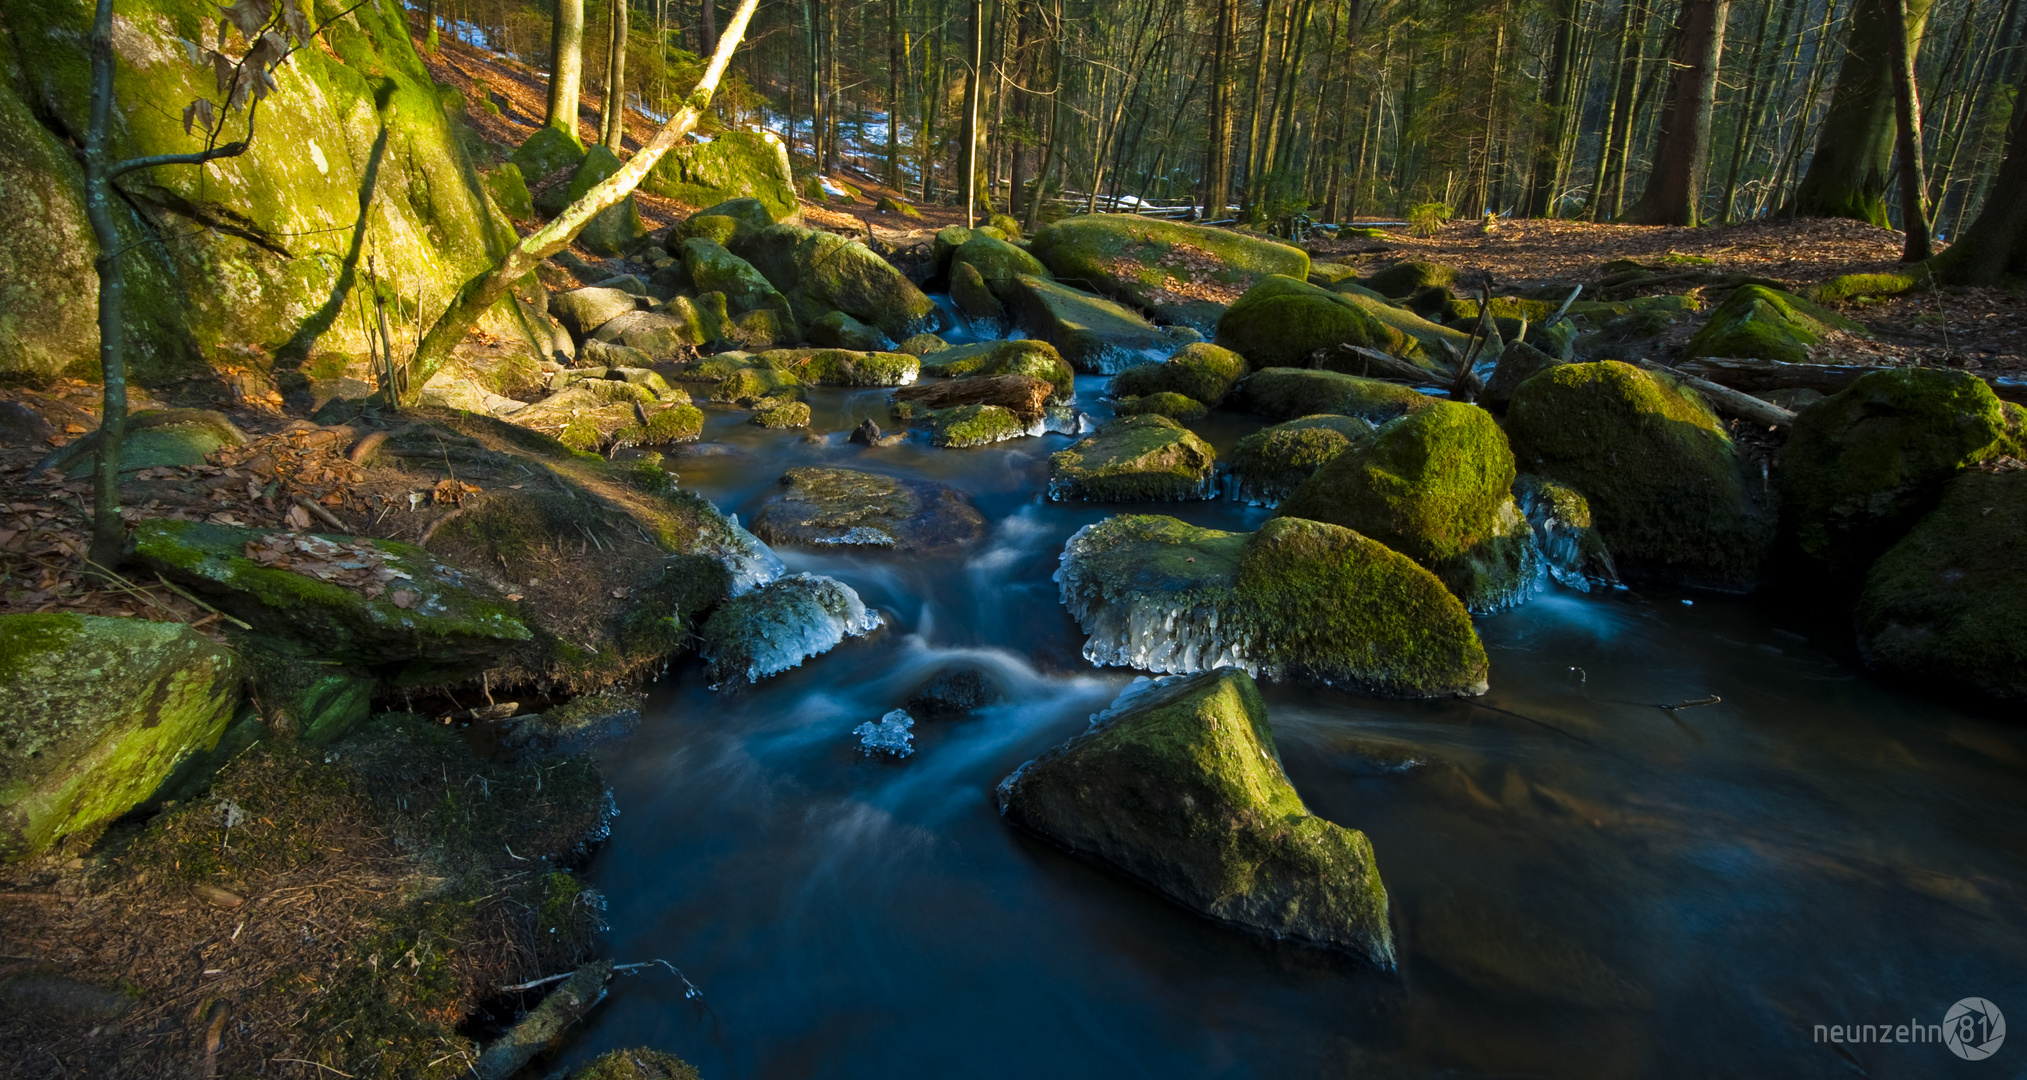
1284 321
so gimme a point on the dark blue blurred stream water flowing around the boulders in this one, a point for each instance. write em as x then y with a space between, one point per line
1584 884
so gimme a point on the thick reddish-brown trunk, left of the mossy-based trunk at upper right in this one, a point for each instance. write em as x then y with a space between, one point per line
1675 187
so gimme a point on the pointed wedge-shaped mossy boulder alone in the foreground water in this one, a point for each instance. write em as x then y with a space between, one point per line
1181 787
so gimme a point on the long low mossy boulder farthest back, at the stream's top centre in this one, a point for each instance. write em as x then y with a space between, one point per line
1150 262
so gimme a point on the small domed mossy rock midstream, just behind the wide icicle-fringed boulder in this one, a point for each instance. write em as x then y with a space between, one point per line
1136 459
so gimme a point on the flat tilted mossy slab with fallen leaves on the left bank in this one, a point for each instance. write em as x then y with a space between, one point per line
382 607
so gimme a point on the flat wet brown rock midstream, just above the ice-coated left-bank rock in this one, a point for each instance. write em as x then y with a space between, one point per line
842 508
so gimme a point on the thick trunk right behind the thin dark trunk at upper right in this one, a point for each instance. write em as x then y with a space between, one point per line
1856 151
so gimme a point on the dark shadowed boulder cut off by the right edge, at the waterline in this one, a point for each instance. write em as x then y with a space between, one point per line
1947 605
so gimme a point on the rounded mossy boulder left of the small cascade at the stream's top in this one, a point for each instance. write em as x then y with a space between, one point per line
824 273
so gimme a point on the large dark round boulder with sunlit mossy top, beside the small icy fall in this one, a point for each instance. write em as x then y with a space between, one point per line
1657 467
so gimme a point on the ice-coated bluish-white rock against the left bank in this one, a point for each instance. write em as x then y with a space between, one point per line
781 625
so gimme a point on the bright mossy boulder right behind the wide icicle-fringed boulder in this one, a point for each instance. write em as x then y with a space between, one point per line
1436 487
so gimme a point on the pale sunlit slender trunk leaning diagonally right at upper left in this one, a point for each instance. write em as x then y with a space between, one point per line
490 287
